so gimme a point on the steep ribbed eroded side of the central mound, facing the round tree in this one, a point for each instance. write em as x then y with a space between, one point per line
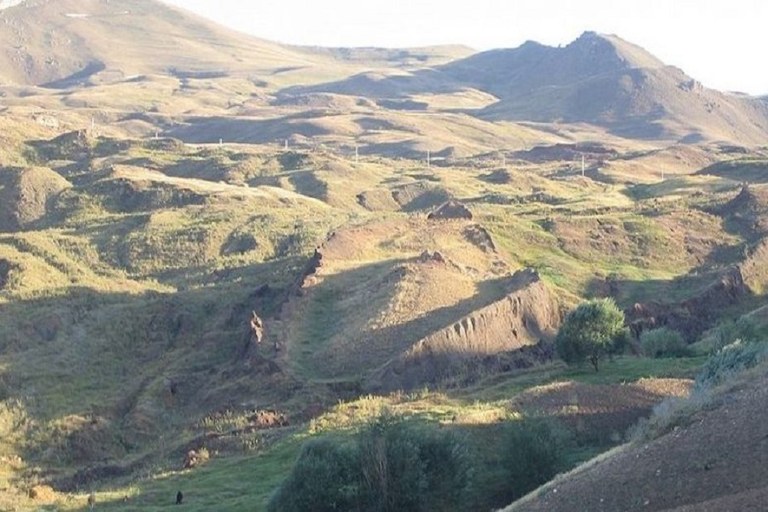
520 320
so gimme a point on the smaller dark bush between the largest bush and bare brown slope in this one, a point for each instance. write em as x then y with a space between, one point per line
534 451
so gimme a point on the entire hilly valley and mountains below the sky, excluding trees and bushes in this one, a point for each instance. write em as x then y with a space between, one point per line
410 226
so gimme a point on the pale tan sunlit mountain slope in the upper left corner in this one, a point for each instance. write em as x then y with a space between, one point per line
49 41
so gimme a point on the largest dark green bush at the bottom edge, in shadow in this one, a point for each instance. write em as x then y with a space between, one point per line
391 465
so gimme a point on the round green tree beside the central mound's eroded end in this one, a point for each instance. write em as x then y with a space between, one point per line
591 331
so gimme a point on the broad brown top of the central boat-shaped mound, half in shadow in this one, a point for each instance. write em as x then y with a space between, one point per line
395 282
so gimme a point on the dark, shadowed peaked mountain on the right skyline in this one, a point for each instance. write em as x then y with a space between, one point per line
604 80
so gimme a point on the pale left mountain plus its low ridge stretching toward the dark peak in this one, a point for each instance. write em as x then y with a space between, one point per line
66 42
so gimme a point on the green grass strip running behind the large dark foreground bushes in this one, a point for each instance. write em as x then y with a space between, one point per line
246 482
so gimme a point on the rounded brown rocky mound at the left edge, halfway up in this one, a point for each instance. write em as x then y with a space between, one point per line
26 195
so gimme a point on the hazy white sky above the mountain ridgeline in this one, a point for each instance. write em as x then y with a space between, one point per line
719 42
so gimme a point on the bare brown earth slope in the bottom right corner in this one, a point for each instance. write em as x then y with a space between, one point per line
715 462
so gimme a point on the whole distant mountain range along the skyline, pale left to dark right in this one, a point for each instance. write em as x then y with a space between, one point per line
597 79
